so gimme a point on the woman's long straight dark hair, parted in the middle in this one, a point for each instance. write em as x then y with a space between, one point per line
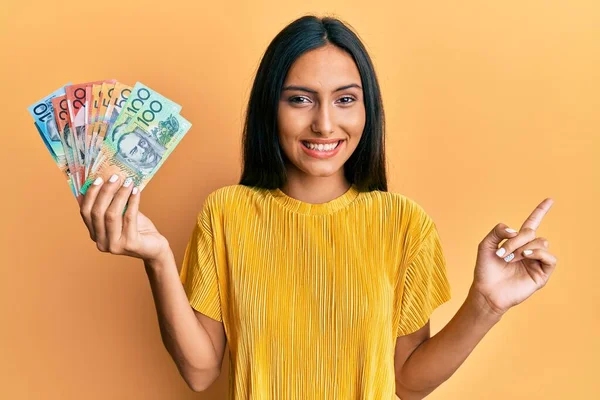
263 161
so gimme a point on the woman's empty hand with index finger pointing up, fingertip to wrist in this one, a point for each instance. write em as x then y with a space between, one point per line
508 278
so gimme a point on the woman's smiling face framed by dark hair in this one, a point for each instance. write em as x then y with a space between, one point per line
321 101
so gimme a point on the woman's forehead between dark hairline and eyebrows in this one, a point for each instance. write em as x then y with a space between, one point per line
325 67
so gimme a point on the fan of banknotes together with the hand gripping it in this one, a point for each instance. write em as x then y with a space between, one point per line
109 139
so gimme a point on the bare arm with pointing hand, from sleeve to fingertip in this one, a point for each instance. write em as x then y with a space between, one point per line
499 284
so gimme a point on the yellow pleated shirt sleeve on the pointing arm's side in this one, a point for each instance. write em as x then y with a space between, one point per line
425 283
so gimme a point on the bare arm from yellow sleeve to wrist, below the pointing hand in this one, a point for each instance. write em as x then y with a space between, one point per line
435 359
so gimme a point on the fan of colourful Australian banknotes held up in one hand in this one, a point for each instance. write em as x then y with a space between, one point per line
100 128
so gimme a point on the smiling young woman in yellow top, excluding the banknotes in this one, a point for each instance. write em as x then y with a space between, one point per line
321 281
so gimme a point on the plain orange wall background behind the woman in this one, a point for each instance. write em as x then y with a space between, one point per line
491 107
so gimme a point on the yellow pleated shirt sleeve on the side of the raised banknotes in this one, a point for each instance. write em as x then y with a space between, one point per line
199 271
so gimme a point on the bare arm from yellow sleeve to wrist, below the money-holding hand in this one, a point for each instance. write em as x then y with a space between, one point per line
195 342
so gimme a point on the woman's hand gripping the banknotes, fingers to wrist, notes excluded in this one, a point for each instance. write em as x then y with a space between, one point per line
132 233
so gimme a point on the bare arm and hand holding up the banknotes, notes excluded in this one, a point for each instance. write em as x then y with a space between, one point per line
194 341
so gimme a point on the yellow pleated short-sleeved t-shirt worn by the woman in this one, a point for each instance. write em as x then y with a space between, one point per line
313 296
